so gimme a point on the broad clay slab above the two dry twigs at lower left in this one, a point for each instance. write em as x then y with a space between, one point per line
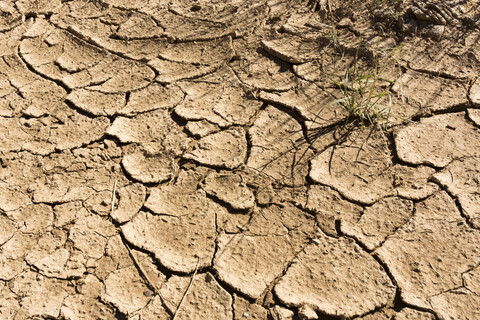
180 229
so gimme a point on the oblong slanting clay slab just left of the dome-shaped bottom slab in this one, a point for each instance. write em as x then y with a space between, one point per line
251 260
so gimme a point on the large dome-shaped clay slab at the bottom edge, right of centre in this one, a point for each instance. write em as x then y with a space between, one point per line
335 277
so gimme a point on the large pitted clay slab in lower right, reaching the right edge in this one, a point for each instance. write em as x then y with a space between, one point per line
453 249
